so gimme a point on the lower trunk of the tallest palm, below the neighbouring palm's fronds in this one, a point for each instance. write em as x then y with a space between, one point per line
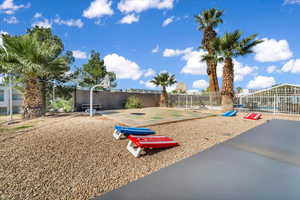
214 90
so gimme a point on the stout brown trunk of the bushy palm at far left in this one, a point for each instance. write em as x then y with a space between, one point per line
32 99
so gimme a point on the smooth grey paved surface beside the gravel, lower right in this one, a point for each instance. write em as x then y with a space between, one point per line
262 164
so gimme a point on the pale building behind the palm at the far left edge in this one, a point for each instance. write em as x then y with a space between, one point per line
17 101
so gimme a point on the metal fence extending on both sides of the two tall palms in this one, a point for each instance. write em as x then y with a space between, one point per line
276 101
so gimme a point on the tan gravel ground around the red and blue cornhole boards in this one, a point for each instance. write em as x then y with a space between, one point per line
77 158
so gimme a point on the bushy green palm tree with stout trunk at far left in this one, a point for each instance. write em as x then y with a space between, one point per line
30 58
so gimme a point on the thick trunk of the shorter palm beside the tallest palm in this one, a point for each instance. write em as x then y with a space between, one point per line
228 85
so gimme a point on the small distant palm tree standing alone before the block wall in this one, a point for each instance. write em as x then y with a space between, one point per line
164 80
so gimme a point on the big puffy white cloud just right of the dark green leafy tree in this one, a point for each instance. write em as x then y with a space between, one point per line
124 69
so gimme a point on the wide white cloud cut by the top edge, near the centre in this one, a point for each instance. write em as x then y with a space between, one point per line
127 6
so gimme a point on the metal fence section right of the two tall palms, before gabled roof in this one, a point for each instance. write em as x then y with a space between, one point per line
279 100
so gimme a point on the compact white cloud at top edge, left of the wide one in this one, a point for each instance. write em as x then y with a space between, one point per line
98 9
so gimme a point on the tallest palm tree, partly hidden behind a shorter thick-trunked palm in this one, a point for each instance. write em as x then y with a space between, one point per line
208 20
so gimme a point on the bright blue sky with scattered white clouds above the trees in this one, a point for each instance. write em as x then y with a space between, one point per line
139 38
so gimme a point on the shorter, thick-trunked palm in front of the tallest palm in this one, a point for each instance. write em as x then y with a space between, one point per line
228 47
